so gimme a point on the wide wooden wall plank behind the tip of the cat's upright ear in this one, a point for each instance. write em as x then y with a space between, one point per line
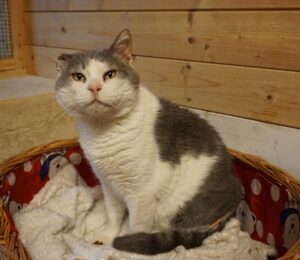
269 39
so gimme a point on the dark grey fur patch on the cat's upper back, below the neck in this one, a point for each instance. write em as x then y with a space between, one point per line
179 131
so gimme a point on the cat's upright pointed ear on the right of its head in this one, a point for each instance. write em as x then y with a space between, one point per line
122 46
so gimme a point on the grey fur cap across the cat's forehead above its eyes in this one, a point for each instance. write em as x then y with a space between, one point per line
76 62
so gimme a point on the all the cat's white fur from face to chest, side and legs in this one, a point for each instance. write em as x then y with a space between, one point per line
120 144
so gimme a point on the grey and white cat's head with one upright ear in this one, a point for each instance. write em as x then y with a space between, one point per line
99 83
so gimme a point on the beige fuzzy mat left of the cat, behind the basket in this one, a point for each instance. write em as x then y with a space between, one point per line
30 121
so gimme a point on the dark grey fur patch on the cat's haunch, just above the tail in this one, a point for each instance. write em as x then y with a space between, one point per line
220 193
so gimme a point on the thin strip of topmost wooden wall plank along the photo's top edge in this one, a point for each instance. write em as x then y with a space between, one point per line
79 5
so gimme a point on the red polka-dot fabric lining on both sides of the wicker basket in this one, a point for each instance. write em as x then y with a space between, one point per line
267 210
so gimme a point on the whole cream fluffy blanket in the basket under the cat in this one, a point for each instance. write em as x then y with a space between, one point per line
66 217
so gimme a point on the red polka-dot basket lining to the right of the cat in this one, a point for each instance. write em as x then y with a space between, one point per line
267 210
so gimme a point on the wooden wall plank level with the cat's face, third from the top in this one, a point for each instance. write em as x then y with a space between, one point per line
260 94
